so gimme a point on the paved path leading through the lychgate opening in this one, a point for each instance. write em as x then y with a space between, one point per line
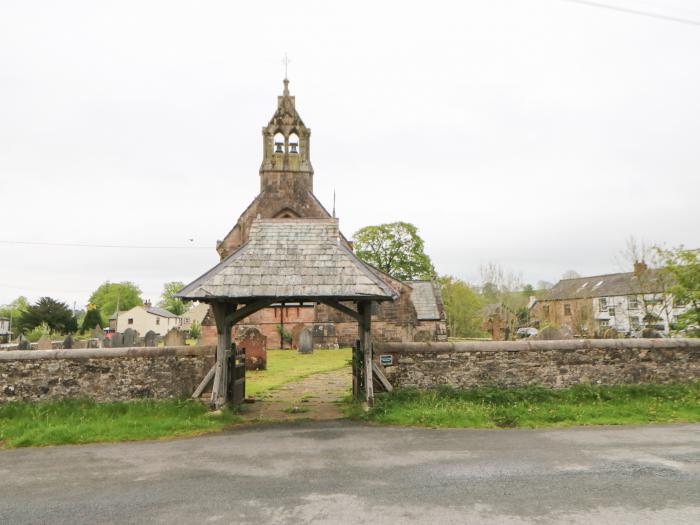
315 397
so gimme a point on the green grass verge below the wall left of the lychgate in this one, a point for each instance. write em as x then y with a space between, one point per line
24 424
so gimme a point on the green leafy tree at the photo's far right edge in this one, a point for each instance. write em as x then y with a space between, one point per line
683 267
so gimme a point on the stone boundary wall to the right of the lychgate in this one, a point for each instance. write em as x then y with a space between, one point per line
556 364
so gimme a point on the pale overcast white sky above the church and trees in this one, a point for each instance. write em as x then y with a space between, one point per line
538 134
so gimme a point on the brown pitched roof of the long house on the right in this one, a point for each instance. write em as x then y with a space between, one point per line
649 281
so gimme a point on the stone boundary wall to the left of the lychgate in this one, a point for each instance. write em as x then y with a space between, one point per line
109 374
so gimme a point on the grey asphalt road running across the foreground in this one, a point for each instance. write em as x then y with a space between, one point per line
340 472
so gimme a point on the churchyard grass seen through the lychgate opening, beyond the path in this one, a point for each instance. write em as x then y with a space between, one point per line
286 366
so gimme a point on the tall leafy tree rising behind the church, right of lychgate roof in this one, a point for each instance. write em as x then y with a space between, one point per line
396 249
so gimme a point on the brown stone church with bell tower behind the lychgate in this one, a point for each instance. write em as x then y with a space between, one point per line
286 192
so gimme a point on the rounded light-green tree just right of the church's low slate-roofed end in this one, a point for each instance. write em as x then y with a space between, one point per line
462 307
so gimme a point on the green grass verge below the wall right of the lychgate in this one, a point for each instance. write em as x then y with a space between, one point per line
534 407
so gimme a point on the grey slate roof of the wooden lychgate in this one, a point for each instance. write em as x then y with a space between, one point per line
290 259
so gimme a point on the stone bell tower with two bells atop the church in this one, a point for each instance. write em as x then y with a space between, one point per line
286 161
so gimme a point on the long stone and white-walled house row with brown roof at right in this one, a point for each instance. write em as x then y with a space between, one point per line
625 302
